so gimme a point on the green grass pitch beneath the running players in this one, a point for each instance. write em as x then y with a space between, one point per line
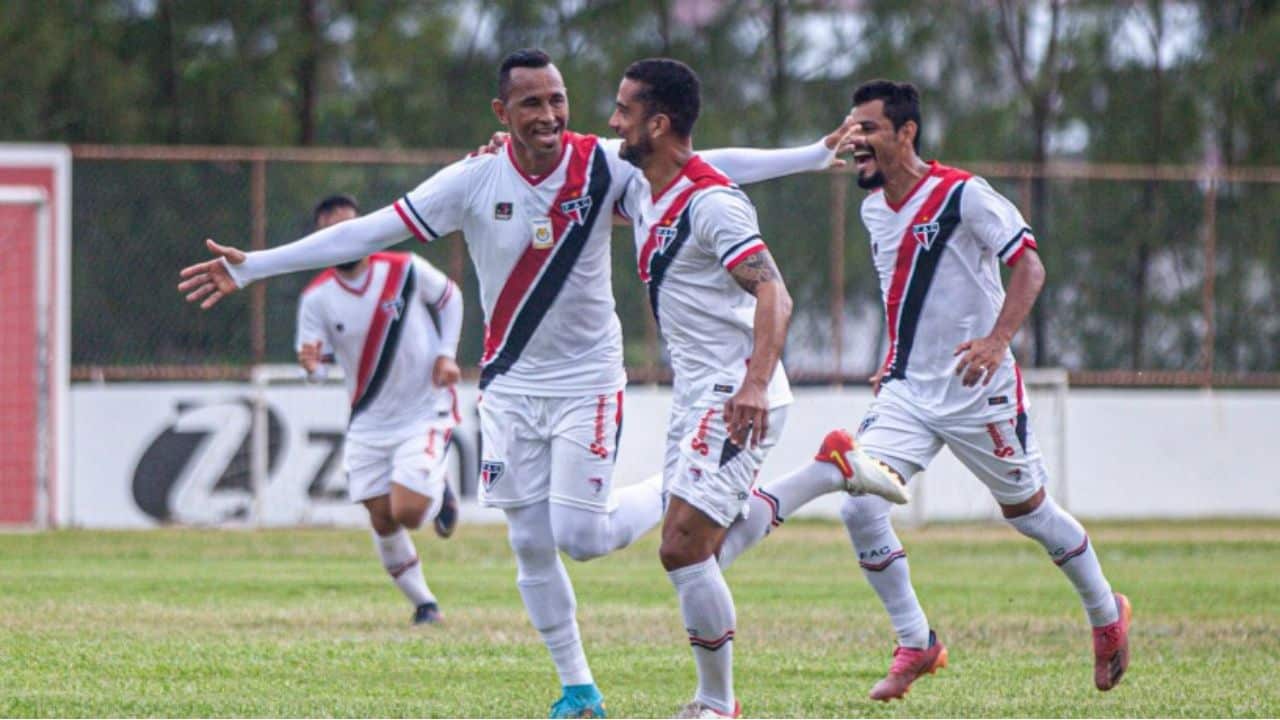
304 623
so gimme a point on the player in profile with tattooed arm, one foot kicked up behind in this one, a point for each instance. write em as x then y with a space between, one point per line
724 312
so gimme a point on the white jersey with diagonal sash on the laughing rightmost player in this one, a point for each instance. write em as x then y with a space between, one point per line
938 254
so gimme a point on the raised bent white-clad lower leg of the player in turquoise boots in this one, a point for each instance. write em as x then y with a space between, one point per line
584 535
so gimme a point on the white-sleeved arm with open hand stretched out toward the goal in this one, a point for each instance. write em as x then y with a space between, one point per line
232 270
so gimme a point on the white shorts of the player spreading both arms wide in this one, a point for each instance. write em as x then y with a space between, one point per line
559 449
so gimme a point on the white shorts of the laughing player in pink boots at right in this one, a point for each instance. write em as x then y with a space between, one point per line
1003 454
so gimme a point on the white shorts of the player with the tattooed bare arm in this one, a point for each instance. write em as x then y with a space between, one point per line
703 468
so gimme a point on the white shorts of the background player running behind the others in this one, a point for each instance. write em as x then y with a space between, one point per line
417 463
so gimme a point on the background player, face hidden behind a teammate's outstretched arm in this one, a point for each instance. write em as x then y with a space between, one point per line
372 317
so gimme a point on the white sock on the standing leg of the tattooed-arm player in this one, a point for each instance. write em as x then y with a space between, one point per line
707 608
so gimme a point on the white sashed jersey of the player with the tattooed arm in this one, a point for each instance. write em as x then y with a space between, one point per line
688 239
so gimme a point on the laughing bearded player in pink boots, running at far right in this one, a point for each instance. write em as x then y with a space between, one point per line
938 235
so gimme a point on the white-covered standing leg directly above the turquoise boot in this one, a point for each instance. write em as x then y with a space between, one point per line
546 589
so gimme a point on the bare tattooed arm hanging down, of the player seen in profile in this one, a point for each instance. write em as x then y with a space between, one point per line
748 412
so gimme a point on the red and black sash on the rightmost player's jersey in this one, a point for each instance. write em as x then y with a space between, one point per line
916 266
